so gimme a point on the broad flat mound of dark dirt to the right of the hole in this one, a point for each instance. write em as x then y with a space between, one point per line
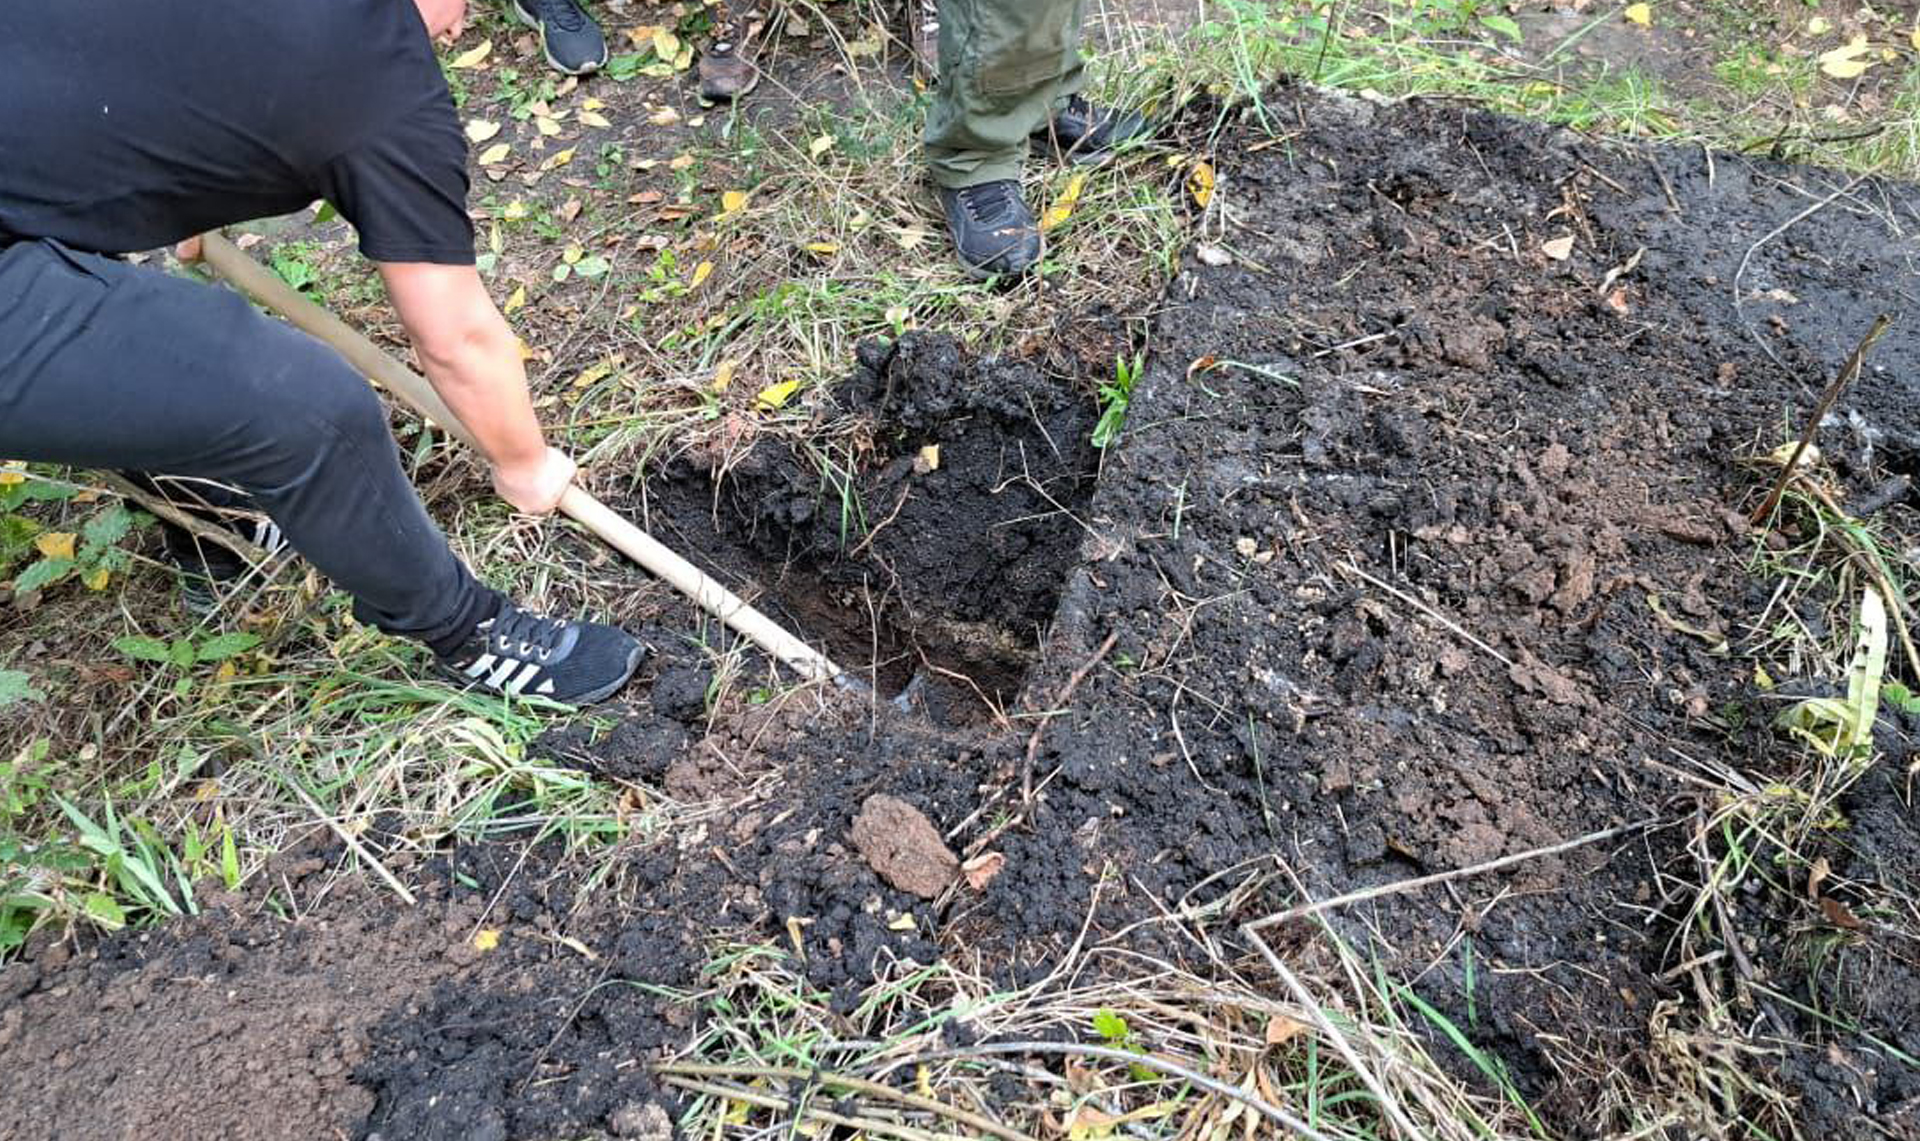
1458 571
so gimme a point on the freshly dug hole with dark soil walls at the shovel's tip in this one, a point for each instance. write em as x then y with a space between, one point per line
930 548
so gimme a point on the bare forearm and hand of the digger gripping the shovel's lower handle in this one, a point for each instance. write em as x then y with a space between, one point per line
473 362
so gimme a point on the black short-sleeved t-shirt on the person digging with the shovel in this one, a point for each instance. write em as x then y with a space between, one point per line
133 124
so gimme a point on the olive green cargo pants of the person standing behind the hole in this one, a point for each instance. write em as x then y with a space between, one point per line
1003 68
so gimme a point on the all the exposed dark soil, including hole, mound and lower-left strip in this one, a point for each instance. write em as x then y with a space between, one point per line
1374 377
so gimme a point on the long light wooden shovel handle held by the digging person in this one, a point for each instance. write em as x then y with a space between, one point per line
377 366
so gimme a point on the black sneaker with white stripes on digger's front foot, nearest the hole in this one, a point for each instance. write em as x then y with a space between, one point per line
527 656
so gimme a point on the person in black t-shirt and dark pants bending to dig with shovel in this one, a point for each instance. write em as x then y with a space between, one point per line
137 126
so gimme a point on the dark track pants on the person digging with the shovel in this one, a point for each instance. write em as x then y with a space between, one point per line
112 366
